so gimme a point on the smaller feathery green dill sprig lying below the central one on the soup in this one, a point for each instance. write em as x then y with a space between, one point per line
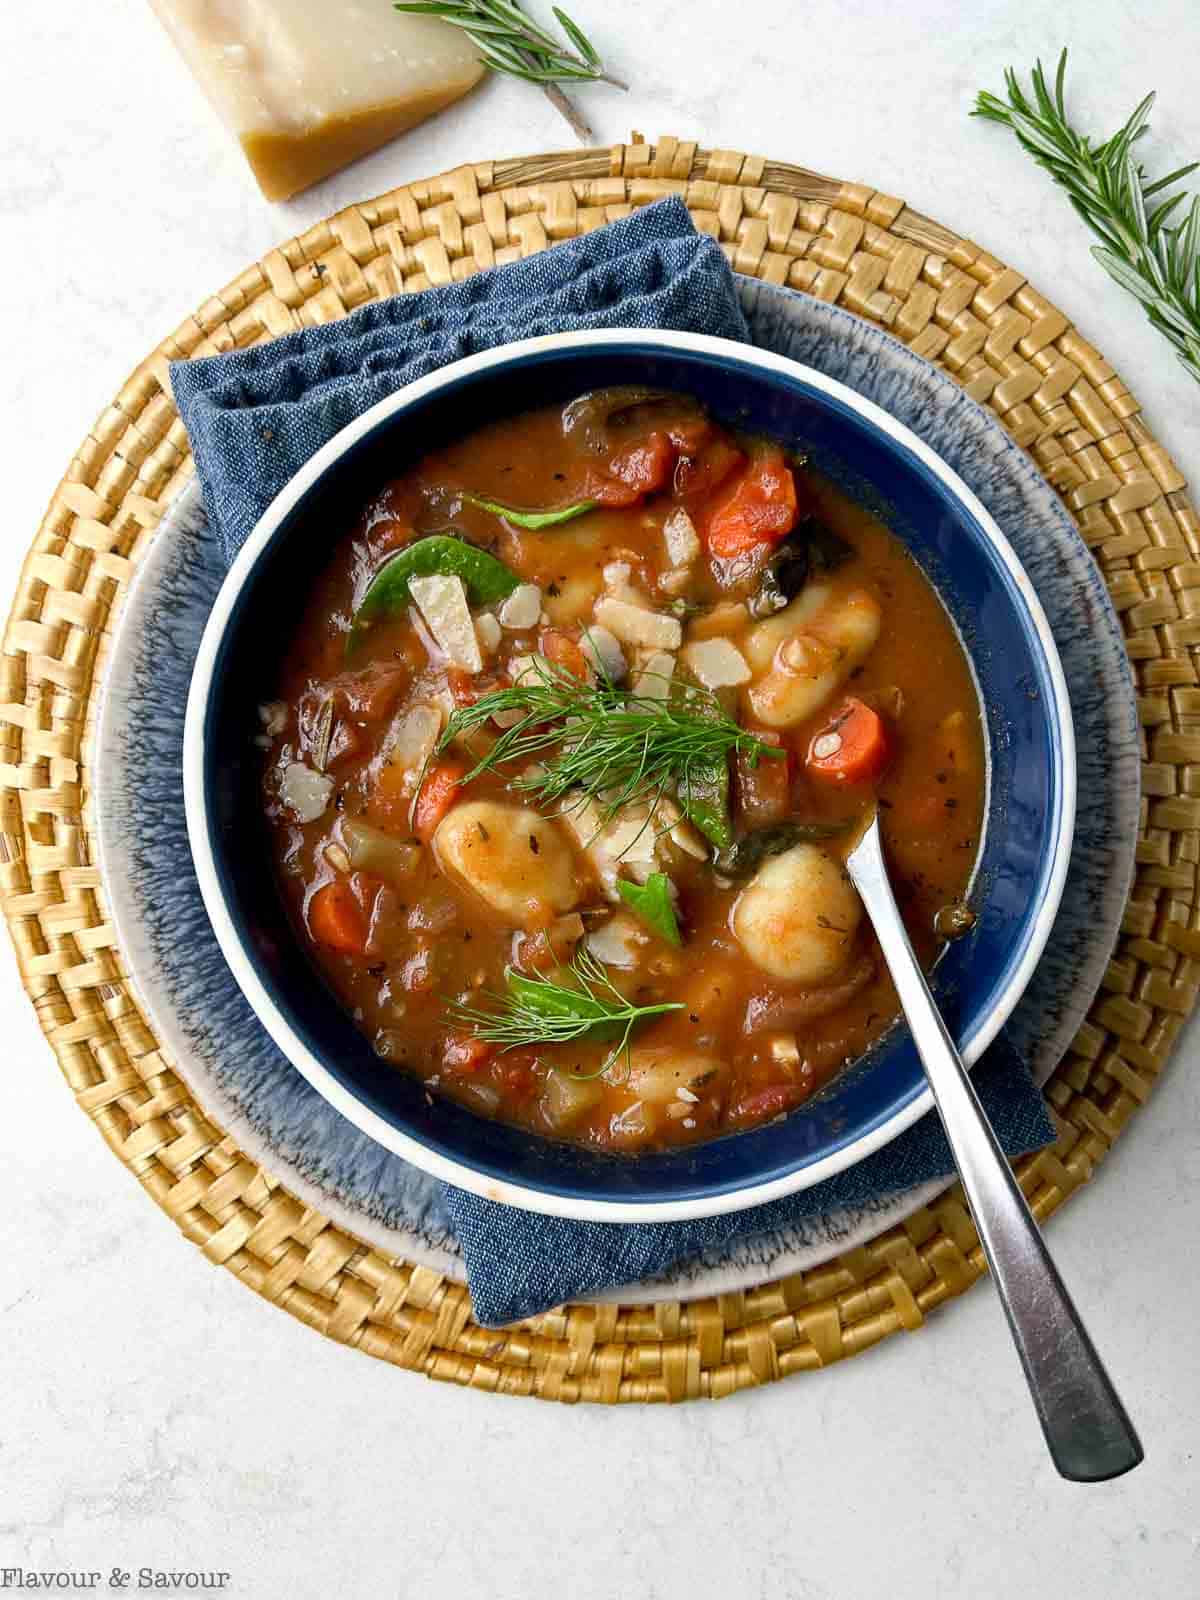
543 1012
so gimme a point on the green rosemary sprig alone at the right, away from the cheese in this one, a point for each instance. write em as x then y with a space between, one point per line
1158 263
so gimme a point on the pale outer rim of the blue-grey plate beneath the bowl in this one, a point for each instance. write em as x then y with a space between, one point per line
839 1231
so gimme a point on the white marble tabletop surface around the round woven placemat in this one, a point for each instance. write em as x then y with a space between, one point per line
158 1414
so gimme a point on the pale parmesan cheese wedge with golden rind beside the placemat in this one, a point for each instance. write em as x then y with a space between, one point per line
308 87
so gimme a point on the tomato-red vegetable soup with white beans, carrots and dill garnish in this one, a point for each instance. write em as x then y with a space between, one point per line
567 756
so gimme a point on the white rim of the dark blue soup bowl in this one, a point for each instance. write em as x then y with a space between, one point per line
196 791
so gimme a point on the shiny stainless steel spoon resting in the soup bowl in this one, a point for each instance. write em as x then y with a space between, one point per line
1087 1430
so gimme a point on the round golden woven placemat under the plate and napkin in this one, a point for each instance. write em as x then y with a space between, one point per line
950 302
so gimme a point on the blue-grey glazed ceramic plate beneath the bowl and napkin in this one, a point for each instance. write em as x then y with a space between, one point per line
239 1076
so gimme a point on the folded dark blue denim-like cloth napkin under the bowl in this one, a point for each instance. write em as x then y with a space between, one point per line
257 417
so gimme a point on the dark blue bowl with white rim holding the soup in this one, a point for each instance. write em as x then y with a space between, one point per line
1031 802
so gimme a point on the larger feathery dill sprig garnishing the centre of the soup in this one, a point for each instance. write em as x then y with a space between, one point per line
596 742
